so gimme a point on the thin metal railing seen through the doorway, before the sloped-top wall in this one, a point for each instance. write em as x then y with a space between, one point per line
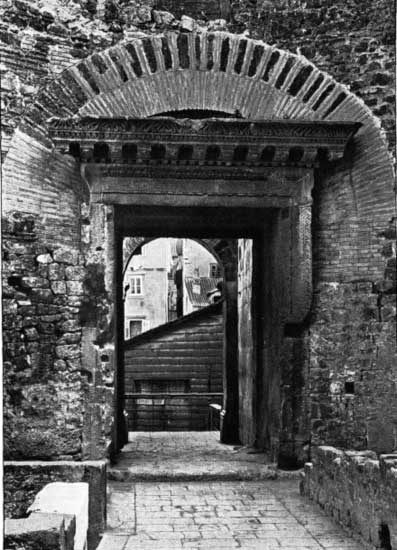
173 411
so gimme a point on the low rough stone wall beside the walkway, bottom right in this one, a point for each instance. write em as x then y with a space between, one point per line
358 490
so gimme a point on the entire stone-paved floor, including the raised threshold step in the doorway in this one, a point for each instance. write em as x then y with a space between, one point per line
172 491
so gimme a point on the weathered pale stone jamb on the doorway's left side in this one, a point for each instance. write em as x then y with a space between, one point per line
98 322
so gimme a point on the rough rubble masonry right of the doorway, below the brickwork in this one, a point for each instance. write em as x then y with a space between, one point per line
353 367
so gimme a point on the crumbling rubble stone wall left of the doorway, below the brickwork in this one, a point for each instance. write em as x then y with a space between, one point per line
43 385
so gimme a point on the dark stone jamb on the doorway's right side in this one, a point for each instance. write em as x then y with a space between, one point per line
284 294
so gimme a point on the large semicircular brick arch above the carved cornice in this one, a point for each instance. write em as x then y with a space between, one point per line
214 71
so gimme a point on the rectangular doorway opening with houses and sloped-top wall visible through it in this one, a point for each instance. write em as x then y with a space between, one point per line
150 375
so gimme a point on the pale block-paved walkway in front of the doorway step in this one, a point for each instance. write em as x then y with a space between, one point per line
267 515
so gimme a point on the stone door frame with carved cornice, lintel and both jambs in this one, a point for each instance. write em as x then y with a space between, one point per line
280 183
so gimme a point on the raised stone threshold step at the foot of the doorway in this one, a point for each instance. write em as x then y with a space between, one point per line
187 456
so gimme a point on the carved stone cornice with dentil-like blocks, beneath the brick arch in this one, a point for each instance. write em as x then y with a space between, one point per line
239 143
